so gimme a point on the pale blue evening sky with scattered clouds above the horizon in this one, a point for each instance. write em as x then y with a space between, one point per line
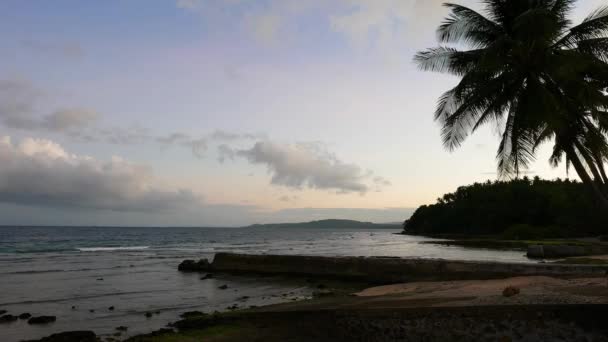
227 112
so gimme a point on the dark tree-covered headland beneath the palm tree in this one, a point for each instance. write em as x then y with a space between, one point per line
521 208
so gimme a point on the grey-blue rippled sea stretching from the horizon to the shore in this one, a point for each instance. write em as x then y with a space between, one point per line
49 270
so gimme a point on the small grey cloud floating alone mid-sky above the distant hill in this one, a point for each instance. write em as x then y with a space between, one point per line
306 165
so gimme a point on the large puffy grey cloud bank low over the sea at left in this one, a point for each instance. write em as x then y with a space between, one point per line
41 172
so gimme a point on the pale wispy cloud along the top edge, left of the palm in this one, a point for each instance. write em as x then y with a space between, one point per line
382 26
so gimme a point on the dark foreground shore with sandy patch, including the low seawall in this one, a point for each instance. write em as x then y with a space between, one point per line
362 311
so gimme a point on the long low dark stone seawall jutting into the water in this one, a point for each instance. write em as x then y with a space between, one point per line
383 269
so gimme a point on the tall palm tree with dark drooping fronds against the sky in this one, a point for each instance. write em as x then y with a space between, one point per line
526 68
